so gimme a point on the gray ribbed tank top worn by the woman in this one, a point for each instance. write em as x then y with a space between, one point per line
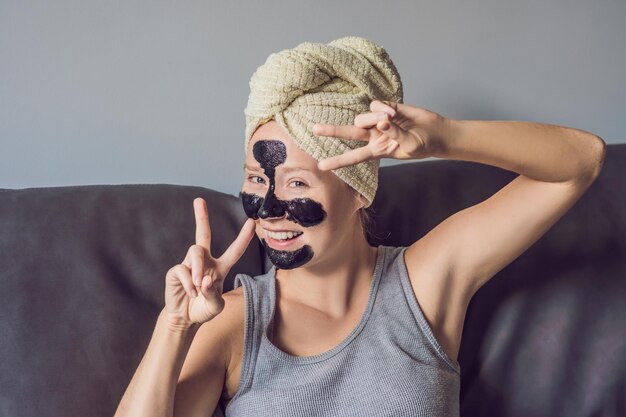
389 365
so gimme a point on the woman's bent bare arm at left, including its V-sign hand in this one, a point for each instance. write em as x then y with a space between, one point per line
197 318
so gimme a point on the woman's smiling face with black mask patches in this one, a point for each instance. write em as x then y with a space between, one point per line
284 191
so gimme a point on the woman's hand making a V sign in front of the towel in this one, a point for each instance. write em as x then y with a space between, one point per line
393 130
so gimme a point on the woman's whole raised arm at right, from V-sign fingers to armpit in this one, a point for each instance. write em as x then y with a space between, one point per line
556 165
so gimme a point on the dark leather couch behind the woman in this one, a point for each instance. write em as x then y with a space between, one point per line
82 271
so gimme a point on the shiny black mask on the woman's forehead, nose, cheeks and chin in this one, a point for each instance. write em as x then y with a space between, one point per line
303 211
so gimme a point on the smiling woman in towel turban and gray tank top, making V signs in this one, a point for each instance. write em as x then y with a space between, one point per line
338 327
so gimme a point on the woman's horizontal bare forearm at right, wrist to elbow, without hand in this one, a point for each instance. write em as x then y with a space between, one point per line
542 152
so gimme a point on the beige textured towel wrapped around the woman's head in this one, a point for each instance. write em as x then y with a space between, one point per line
324 83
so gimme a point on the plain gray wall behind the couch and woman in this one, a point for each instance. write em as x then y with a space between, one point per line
116 92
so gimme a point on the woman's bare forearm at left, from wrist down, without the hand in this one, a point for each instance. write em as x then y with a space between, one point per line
152 388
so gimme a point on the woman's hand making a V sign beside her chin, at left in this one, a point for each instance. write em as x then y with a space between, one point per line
193 288
